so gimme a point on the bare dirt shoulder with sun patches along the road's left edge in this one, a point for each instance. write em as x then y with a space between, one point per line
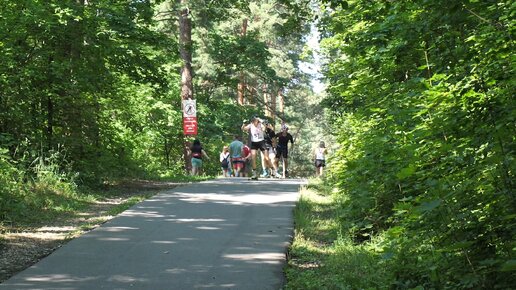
21 246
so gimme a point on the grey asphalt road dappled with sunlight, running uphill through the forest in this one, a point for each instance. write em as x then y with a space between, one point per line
221 234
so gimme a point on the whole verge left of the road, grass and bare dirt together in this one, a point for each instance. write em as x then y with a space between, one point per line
48 213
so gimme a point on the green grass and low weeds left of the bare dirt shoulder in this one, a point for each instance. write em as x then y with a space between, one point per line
48 200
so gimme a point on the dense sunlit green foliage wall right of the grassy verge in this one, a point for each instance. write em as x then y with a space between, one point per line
421 98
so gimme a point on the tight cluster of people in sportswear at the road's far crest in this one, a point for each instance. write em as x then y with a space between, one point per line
240 160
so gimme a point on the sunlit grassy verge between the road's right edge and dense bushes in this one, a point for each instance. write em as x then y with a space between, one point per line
320 257
